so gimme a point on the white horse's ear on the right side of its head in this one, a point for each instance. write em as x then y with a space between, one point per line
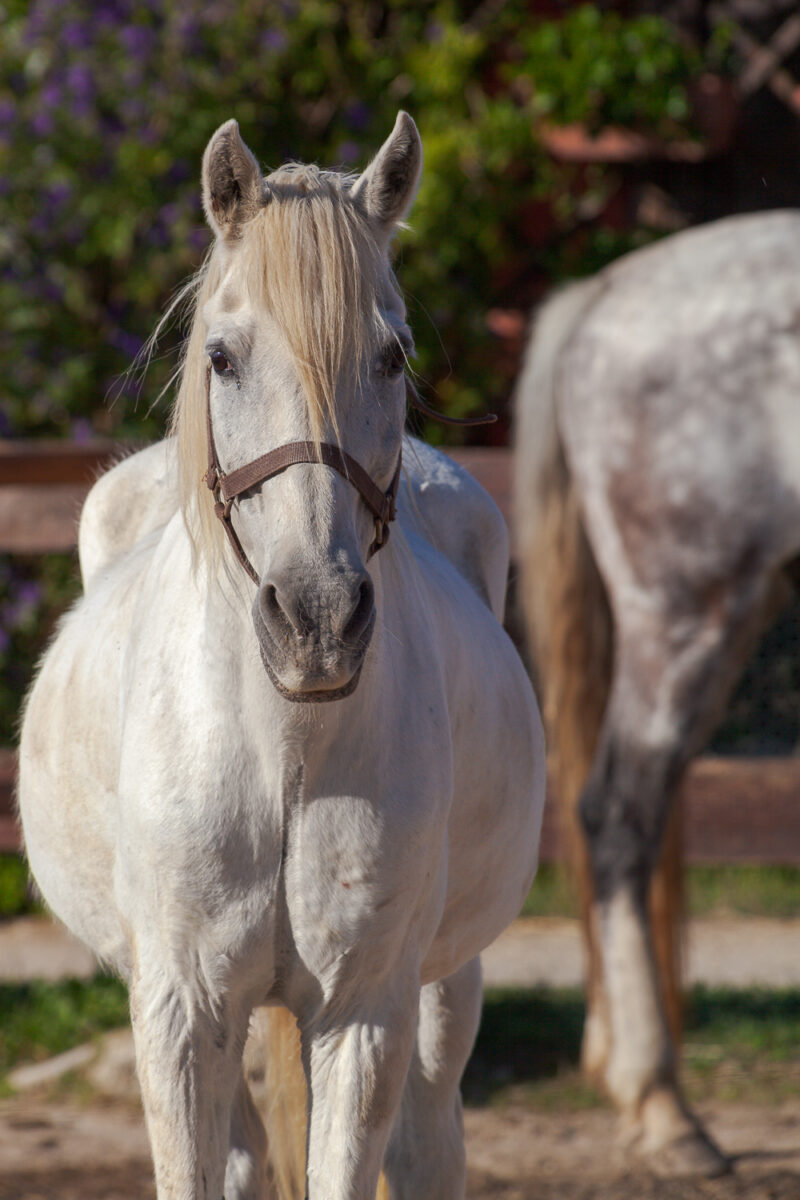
389 184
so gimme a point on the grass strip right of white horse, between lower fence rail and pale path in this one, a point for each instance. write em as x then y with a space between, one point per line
711 891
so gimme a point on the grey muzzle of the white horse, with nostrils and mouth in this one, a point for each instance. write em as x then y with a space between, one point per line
314 640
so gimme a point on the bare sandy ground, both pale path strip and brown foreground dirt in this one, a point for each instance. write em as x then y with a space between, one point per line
88 1143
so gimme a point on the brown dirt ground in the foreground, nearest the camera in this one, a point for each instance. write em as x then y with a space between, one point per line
89 1150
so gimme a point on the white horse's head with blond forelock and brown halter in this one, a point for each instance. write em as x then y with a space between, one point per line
303 334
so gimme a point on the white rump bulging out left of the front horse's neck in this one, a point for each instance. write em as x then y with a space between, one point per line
135 497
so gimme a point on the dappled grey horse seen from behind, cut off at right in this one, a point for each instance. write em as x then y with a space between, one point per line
658 501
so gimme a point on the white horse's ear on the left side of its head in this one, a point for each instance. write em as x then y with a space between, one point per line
233 187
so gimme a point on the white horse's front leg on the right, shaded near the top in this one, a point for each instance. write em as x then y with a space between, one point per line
357 1060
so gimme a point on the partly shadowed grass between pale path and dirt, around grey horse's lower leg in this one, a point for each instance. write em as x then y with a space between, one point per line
739 1046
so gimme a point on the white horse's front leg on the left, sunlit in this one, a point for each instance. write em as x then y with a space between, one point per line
189 1048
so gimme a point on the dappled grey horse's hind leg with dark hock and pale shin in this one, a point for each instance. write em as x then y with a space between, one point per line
671 679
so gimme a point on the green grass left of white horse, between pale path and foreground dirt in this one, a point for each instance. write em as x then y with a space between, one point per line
41 1019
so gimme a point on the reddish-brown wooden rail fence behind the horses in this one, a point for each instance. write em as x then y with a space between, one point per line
744 811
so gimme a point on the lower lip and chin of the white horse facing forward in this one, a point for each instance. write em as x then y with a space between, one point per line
305 681
